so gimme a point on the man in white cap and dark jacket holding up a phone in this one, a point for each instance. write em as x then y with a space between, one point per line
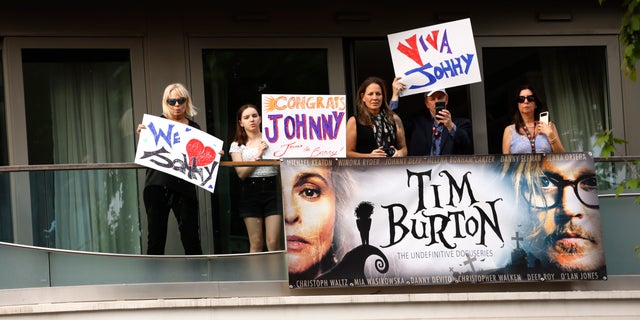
436 132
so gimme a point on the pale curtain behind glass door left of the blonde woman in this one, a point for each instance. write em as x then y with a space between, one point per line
89 120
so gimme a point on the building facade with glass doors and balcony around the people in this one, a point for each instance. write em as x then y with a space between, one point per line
78 77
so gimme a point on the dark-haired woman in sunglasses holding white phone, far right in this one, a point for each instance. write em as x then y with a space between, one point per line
527 133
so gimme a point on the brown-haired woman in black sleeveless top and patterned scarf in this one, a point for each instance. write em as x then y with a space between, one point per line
375 131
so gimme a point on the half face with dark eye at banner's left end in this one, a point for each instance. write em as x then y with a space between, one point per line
309 211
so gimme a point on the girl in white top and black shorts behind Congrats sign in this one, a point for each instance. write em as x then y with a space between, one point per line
258 207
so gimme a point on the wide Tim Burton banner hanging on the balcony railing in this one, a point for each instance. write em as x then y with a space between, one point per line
357 222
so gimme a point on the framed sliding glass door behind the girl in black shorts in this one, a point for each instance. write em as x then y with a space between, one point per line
238 72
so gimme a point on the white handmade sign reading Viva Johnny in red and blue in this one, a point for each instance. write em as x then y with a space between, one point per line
438 56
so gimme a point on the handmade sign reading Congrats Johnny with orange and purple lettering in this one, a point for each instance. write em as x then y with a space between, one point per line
305 126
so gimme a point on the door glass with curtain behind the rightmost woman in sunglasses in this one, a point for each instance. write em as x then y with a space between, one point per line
571 80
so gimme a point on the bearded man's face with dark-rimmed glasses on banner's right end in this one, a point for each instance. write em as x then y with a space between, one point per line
568 211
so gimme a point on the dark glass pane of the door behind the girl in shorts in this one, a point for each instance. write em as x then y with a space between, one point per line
234 77
